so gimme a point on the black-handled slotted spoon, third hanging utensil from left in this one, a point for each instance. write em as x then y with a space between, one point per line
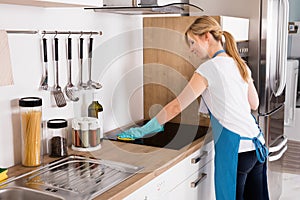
70 89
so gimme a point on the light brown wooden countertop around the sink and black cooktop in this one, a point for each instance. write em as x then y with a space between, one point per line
154 160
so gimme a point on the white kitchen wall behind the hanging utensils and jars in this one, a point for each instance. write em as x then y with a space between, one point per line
117 65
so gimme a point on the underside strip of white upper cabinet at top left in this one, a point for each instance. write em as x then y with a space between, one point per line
54 3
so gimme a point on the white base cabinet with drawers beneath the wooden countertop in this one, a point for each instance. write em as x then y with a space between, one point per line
175 177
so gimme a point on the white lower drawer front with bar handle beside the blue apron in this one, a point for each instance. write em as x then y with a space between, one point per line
198 186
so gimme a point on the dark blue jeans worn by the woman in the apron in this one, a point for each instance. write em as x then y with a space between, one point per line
250 178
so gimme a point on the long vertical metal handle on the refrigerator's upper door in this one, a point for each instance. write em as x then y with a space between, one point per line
283 22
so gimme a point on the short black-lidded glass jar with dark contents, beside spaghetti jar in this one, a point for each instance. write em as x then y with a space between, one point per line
58 146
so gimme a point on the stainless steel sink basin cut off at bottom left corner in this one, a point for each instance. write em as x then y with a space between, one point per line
21 193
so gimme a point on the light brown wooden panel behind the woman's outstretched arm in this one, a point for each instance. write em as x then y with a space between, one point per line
168 66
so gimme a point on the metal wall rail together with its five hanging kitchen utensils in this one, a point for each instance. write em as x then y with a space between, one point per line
70 89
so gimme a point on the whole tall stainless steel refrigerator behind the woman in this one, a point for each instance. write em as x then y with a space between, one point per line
268 63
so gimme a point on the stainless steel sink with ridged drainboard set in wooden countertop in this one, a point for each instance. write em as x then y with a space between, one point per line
73 177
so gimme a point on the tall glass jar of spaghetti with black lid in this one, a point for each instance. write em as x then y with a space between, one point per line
31 135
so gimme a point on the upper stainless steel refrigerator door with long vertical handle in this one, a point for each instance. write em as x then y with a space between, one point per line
272 70
